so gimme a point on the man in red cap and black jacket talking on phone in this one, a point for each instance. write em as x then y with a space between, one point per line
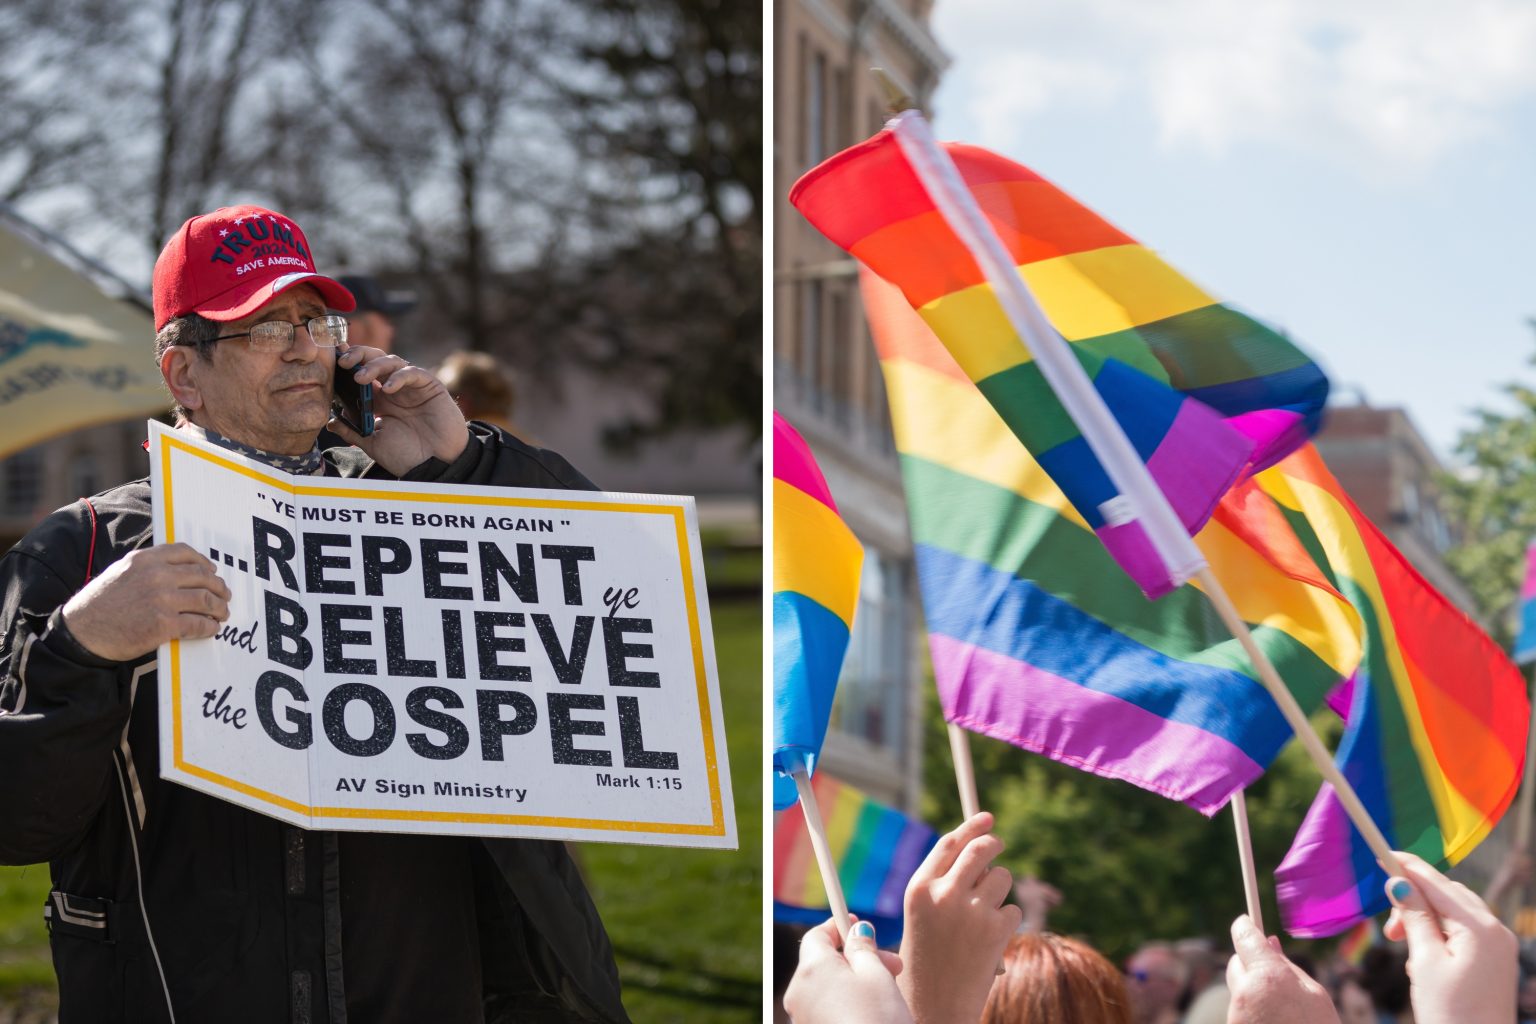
174 905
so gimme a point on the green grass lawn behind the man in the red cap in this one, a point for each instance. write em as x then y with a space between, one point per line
686 925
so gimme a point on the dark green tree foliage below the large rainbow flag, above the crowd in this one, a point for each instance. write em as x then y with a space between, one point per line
1133 867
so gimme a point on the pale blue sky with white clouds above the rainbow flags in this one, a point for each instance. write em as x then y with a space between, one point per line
1360 174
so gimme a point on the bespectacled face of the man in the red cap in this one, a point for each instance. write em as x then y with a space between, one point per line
276 401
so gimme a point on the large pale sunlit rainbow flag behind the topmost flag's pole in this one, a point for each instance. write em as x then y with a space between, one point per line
1036 636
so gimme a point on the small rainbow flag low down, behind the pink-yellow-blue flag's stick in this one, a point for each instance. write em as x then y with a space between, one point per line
876 850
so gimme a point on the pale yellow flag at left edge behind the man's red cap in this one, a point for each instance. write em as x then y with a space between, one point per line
71 355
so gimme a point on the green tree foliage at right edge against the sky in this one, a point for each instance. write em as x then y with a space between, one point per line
1495 501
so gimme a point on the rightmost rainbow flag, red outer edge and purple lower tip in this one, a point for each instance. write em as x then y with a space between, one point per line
1435 736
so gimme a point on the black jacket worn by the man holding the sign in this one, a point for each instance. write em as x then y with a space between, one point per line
164 896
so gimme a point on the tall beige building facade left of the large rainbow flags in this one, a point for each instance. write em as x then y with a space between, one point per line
827 380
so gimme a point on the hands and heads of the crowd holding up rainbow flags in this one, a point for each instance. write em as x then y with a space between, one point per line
968 956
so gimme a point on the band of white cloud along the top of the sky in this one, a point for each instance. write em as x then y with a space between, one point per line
1399 81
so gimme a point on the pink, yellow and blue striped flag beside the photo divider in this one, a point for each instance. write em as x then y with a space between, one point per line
816 566
